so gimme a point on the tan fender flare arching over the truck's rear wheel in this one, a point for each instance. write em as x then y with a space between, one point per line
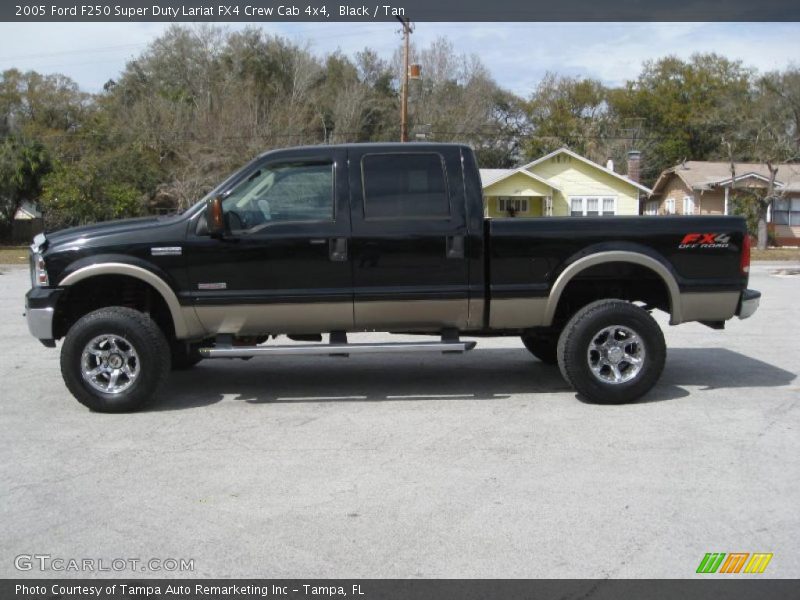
599 258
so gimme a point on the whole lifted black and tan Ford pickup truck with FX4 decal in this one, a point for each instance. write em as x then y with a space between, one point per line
326 240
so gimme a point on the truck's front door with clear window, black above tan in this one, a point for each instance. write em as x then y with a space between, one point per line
283 265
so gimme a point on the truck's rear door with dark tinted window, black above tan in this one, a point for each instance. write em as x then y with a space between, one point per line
408 241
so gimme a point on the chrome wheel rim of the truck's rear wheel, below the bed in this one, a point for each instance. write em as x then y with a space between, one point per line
616 354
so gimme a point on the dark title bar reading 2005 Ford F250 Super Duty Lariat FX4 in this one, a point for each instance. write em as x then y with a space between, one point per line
390 10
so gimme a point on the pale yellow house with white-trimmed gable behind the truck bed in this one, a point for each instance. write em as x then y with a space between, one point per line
560 184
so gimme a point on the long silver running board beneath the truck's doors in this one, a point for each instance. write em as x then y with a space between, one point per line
228 351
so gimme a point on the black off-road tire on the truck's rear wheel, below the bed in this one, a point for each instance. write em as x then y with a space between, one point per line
580 333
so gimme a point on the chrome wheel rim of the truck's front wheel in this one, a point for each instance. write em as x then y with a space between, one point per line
109 364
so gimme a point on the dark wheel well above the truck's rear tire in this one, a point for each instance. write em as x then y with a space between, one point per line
619 279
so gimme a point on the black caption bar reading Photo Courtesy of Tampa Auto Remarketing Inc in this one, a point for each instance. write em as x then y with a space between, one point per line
733 588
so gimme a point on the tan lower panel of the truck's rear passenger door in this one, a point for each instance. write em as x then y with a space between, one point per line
392 315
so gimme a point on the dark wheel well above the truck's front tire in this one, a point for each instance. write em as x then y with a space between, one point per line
111 290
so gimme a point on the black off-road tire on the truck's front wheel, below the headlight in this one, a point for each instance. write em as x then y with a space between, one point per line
136 329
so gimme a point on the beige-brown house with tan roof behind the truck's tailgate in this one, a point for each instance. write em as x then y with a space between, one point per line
704 188
